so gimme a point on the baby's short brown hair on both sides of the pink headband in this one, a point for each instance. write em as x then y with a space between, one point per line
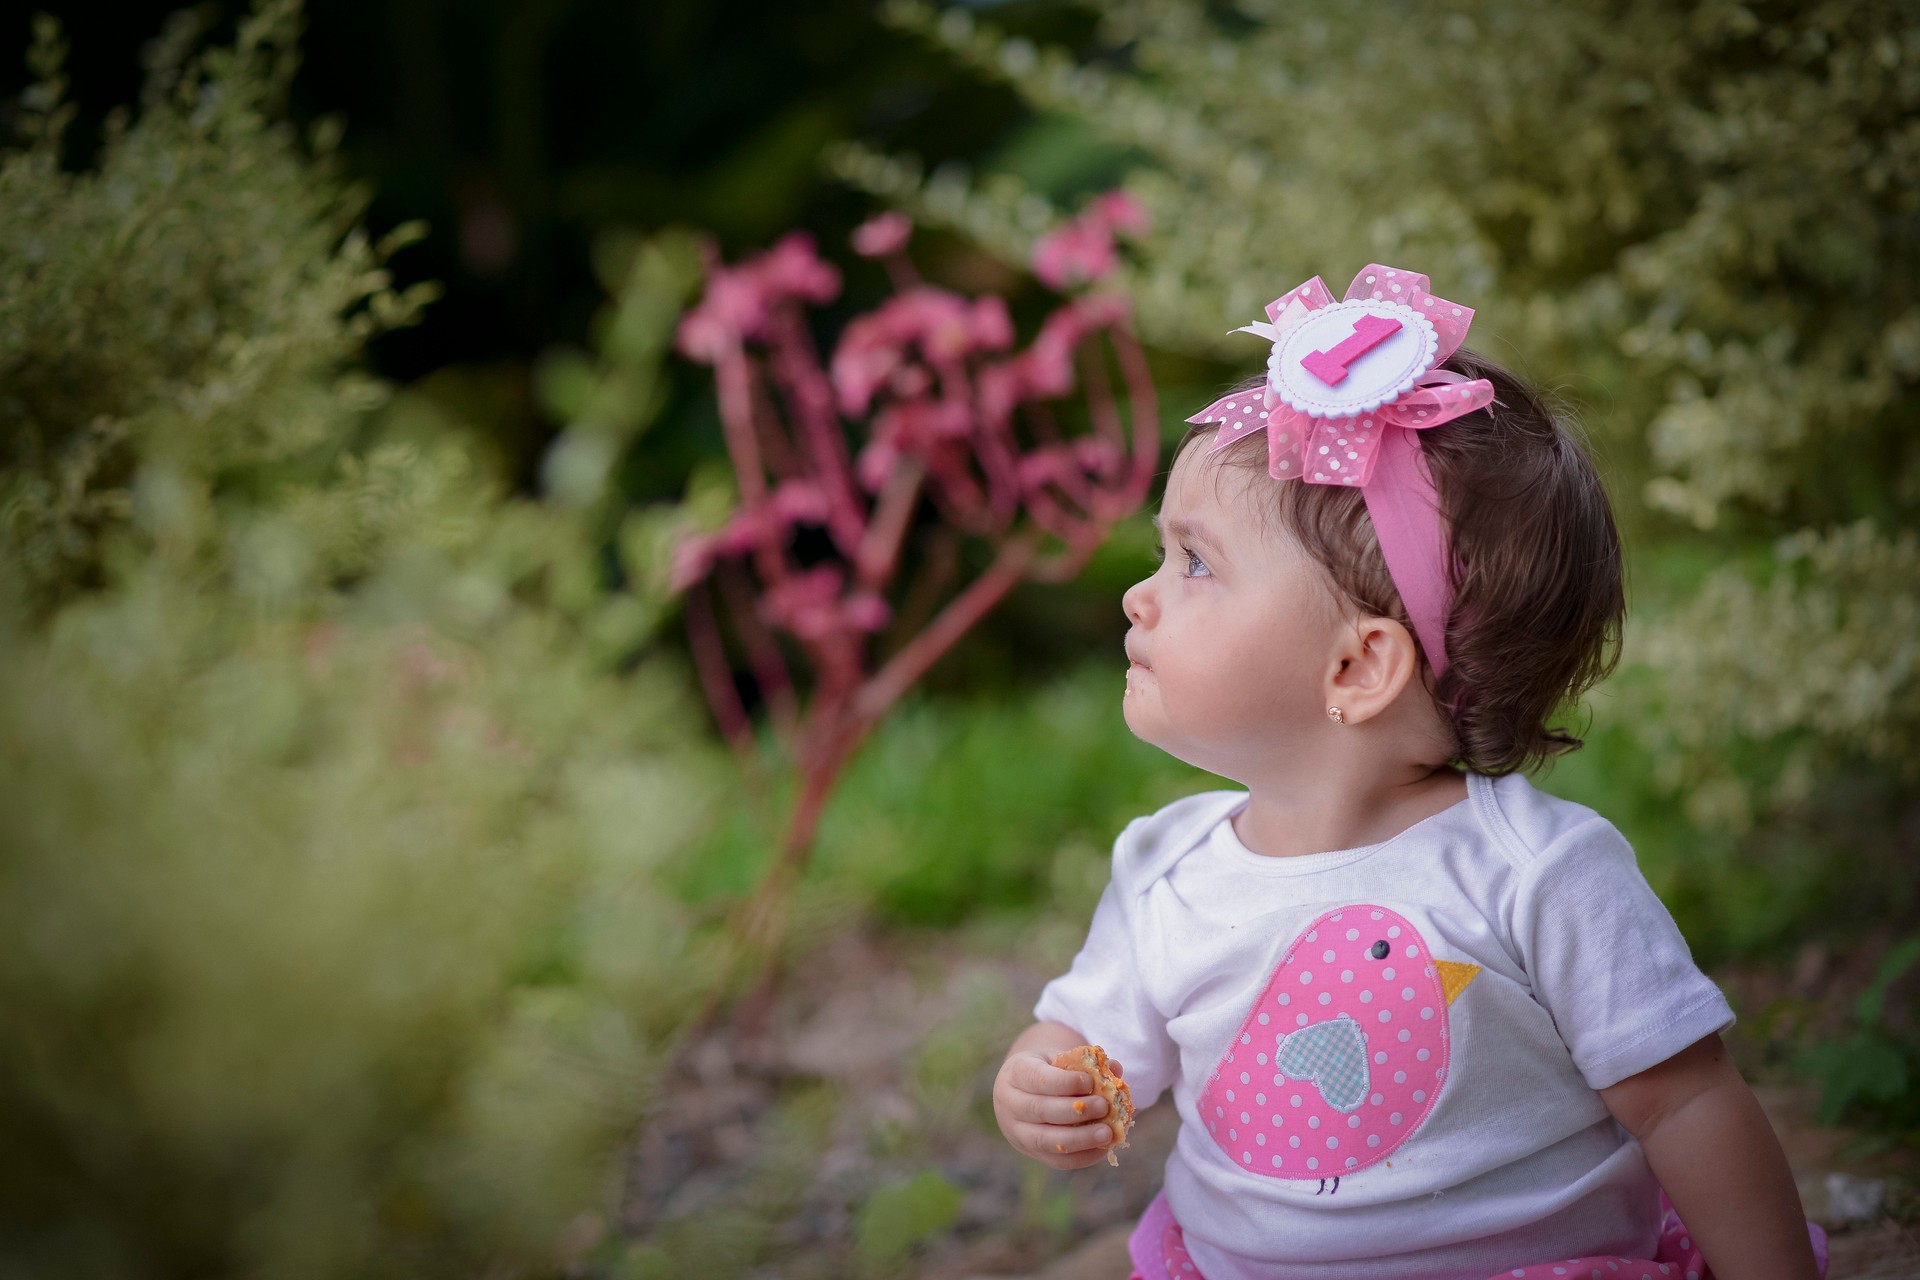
1539 588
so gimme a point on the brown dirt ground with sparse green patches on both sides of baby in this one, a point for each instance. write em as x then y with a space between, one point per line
775 1145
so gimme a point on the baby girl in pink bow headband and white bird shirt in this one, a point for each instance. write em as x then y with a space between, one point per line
1420 1020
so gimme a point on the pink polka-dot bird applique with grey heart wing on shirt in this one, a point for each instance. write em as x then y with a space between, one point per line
1343 1055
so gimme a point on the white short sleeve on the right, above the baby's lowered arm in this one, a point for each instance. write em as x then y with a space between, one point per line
1608 960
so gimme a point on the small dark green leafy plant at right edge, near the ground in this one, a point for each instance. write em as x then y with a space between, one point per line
1867 1076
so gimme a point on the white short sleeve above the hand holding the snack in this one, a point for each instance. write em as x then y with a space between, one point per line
1103 999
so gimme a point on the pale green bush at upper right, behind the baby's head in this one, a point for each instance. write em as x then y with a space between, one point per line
1702 224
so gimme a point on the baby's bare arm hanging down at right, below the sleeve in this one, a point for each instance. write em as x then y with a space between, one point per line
1714 1150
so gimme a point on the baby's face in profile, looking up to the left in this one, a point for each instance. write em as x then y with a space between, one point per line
1234 634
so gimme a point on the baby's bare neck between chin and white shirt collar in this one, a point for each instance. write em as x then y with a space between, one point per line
1287 822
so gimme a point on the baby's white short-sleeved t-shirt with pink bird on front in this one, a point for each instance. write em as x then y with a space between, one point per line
1426 1020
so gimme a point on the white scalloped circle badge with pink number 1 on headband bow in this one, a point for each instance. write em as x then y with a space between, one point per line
1353 358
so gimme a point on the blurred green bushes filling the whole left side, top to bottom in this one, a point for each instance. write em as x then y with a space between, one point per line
331 797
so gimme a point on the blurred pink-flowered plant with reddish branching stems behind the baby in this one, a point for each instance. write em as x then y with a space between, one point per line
957 435
